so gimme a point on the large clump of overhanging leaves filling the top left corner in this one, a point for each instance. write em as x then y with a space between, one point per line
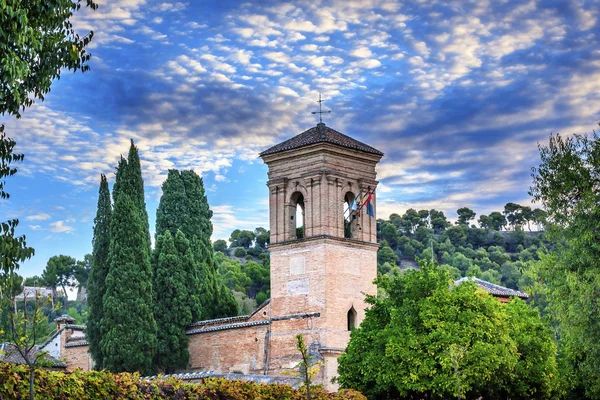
38 41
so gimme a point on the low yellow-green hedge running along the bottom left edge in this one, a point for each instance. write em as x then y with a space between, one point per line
94 385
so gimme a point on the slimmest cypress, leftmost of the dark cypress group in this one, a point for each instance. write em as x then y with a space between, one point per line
99 269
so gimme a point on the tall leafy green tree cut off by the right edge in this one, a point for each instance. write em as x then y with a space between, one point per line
566 184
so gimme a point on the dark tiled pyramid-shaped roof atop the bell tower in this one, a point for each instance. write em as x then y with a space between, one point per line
320 134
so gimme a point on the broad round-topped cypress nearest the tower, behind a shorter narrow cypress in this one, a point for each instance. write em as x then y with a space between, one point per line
184 206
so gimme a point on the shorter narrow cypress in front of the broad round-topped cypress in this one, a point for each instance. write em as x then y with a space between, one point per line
172 310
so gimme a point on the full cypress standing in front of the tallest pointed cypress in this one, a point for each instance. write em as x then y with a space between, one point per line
128 327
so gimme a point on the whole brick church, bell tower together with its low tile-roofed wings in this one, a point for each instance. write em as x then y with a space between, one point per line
323 262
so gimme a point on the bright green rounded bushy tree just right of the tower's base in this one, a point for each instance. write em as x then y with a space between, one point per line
424 338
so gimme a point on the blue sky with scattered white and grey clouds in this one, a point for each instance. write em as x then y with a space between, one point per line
457 94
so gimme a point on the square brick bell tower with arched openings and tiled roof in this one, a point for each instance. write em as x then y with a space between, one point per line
321 266
